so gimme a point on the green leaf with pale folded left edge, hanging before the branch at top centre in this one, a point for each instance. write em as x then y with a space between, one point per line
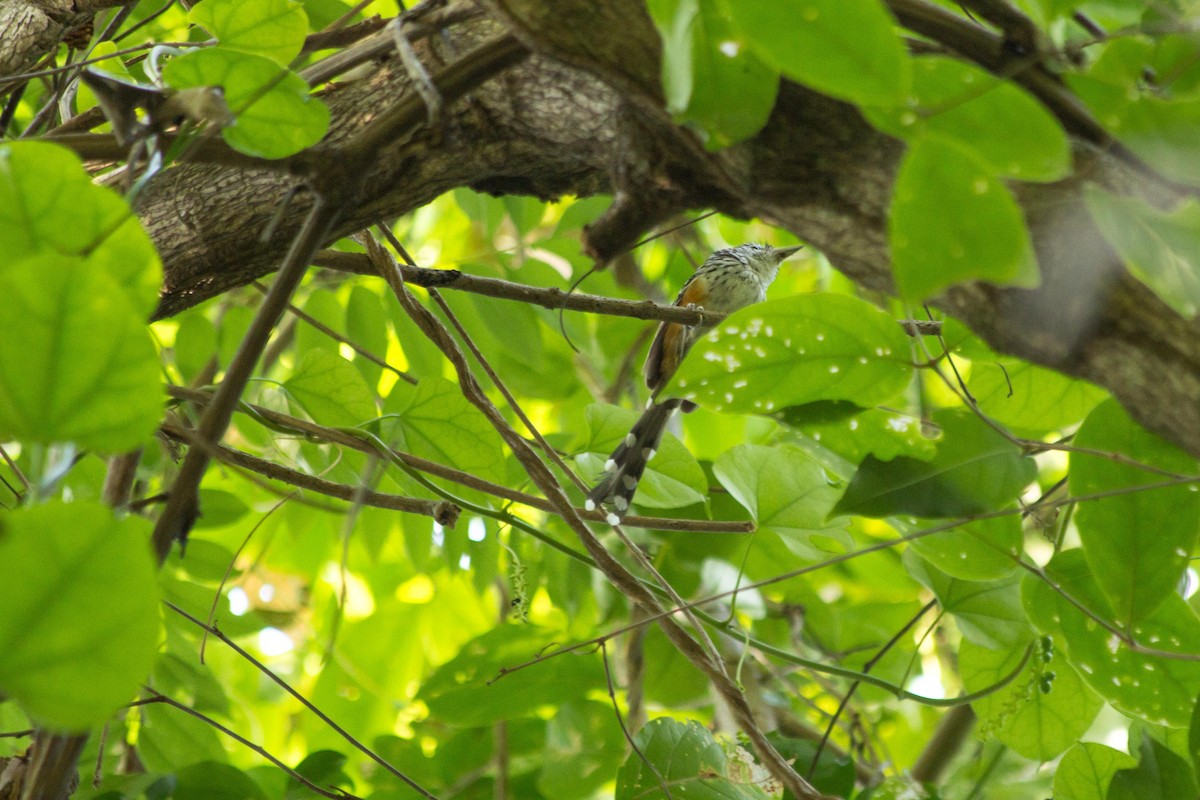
711 77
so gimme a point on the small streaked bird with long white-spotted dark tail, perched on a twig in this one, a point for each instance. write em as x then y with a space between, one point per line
729 280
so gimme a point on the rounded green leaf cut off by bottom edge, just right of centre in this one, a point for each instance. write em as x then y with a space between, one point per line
687 760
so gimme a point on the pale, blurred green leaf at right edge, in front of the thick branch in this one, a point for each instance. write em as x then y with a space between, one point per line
1161 249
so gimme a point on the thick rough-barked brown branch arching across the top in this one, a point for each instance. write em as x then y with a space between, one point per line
585 116
